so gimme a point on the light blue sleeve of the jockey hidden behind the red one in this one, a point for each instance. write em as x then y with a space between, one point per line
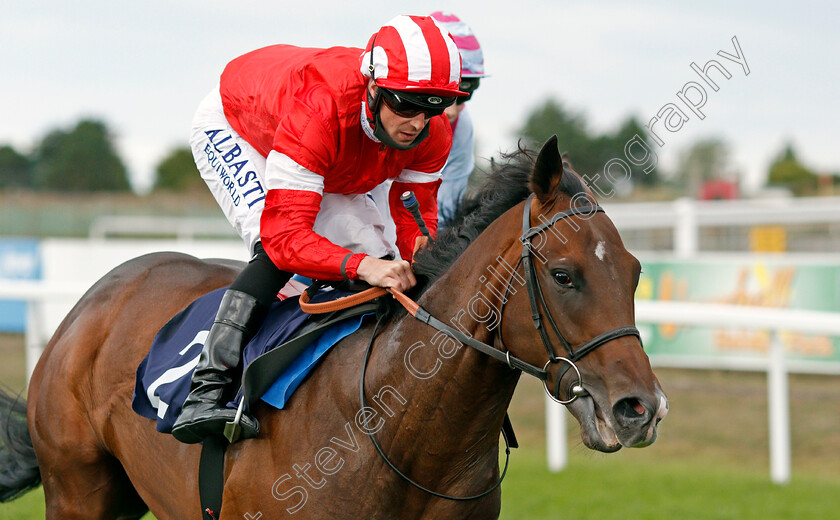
458 167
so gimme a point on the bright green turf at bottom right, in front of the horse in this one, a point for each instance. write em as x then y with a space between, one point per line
608 487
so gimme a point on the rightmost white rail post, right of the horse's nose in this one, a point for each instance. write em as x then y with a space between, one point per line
778 412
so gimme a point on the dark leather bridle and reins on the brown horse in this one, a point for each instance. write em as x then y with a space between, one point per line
538 308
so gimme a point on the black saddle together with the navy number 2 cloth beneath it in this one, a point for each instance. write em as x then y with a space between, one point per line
287 347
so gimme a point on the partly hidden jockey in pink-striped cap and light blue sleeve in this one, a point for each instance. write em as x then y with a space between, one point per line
461 160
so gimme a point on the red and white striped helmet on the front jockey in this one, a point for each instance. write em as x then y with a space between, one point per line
413 54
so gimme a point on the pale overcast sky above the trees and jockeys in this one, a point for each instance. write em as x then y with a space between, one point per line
142 67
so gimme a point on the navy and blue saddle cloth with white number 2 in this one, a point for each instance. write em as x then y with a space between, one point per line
162 381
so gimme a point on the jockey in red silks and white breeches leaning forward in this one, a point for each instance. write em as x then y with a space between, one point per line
289 144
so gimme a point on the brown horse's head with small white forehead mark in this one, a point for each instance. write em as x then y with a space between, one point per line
579 307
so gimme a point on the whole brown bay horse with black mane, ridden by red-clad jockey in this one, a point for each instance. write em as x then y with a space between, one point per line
433 405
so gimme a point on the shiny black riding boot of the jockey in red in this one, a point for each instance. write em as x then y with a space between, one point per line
240 316
